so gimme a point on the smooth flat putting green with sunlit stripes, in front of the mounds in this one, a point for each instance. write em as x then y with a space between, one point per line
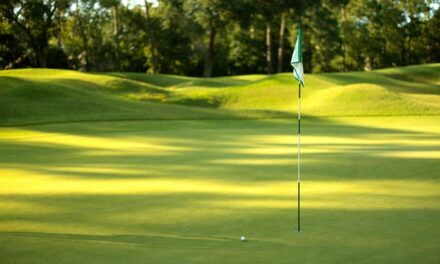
185 191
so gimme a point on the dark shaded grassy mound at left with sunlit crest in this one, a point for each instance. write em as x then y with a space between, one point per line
41 96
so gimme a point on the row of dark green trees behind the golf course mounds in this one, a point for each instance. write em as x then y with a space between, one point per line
217 37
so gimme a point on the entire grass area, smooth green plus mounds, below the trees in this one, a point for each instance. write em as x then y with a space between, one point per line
179 168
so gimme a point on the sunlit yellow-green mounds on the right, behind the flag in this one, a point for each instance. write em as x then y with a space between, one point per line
337 94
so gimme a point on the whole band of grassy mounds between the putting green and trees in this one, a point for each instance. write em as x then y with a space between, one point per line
44 96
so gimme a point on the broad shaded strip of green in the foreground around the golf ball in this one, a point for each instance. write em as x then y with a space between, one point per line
136 230
